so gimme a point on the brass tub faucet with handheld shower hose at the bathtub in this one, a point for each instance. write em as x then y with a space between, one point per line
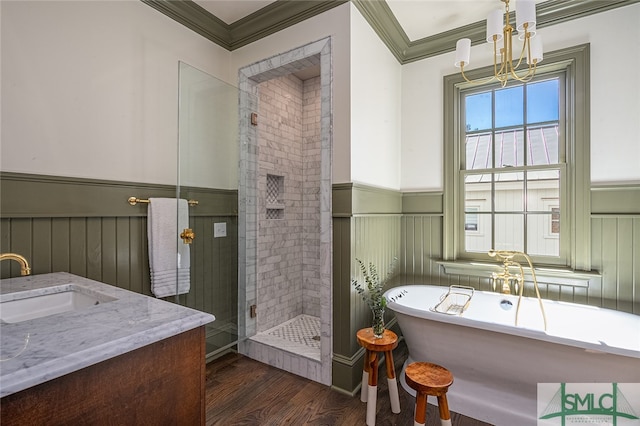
505 278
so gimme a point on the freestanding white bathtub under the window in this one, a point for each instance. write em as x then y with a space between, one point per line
497 366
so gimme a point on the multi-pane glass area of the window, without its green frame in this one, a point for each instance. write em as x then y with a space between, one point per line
512 158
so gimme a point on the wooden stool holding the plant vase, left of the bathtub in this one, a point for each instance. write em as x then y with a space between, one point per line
373 346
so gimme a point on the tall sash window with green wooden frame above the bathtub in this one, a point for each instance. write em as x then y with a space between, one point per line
524 149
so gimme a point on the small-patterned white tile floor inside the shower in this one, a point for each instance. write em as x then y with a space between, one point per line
300 335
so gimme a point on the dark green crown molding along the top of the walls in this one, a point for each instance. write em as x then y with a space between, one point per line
284 13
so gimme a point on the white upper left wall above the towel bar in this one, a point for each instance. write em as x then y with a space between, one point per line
90 89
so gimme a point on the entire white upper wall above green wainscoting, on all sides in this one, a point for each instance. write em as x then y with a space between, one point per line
90 89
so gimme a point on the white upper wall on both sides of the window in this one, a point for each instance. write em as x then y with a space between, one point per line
615 99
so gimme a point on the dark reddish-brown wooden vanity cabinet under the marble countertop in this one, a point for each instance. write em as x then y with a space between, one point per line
158 384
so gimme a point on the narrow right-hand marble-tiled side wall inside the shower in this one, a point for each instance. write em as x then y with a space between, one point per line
311 140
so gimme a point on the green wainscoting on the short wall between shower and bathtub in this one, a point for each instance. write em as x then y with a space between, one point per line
358 233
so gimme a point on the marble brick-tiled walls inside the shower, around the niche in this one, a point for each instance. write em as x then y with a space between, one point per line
283 243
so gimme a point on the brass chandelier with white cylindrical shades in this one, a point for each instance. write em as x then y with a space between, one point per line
500 33
